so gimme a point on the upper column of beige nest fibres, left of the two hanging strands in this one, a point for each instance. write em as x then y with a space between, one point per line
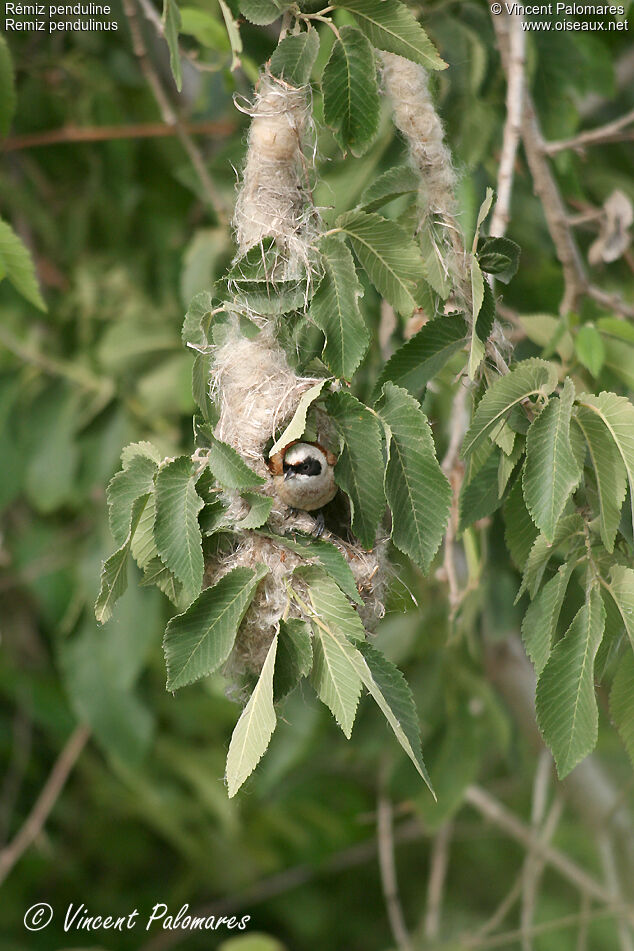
274 199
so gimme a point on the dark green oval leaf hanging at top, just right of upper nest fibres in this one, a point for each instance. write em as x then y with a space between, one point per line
351 93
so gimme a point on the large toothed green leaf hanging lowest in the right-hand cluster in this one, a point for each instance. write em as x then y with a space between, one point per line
566 705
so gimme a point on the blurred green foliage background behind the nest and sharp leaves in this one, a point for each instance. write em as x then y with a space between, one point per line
123 235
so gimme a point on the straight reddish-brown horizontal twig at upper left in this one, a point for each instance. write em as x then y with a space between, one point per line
68 135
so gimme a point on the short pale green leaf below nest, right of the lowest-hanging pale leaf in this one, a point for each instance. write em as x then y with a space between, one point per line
334 676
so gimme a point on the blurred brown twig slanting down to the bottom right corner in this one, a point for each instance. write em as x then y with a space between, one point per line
502 817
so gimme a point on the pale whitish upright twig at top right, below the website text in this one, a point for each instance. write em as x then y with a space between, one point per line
512 124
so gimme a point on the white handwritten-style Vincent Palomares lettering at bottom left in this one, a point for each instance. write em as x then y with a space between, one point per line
79 919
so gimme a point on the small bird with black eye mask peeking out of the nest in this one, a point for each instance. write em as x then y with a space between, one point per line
303 476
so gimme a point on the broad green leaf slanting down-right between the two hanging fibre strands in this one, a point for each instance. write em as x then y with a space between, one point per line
391 258
